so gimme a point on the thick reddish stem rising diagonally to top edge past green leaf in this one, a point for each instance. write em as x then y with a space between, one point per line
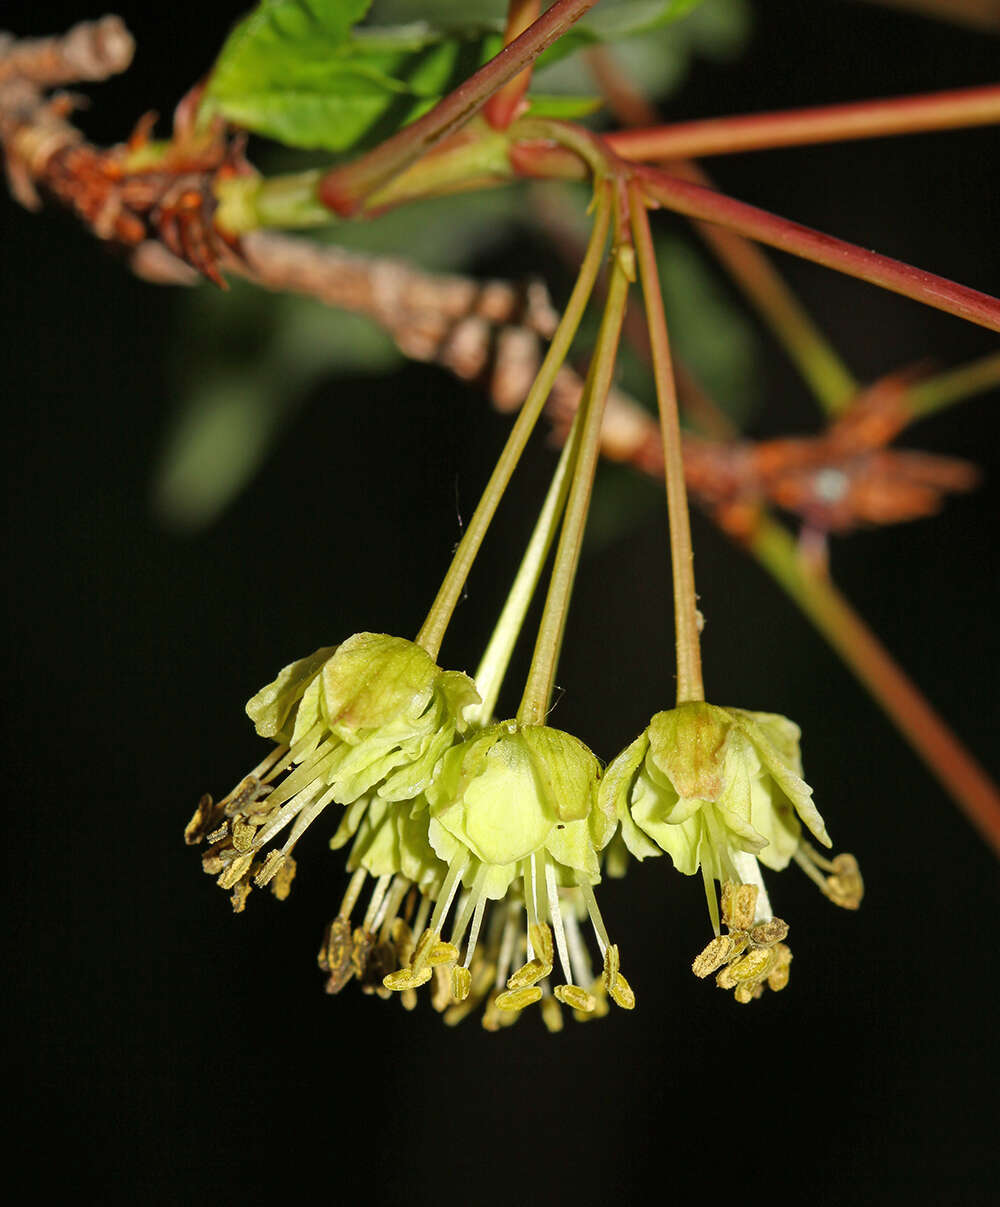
343 190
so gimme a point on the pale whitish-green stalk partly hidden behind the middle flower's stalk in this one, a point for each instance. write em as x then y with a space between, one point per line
493 668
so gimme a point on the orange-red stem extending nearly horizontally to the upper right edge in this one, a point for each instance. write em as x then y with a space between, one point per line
823 124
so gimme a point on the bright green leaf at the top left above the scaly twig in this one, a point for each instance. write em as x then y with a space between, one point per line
297 72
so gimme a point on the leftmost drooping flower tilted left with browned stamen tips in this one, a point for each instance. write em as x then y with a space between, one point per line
361 724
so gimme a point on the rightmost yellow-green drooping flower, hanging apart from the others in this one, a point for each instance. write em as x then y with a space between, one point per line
720 790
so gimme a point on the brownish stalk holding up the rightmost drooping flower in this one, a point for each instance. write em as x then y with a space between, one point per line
689 678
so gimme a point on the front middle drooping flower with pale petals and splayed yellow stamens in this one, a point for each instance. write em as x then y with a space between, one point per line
514 817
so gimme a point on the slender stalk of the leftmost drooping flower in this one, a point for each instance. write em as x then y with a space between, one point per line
432 633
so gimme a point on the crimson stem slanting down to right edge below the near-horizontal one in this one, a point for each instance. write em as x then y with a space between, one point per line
822 249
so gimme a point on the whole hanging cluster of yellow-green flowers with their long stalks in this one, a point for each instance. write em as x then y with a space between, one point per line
475 847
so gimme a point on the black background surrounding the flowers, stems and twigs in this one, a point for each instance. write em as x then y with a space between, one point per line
165 1049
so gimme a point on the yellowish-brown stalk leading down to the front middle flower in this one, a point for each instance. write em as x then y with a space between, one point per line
539 690
